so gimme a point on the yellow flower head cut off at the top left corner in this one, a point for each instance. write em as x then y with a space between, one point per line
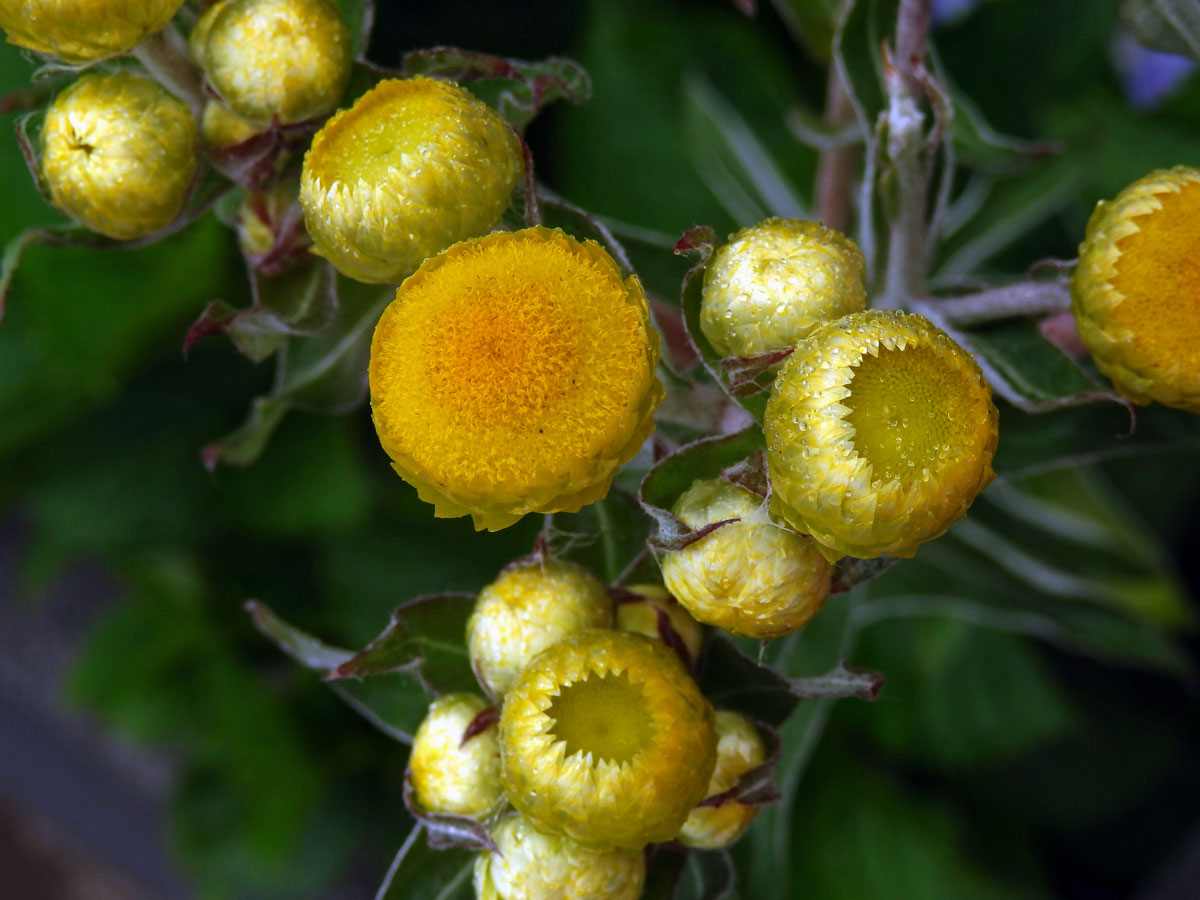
83 31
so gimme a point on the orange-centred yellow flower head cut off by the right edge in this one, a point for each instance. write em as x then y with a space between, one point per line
1136 292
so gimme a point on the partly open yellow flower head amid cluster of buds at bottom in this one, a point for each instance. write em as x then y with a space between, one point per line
607 739
